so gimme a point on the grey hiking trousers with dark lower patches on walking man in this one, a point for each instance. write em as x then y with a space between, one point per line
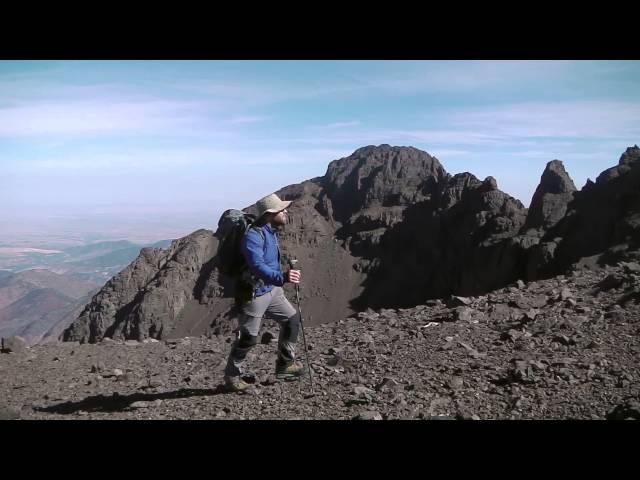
275 305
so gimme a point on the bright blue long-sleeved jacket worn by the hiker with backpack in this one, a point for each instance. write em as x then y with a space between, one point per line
263 258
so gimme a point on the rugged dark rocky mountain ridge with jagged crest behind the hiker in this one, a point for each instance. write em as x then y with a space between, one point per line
385 227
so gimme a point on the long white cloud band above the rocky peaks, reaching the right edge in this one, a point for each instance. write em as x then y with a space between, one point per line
521 125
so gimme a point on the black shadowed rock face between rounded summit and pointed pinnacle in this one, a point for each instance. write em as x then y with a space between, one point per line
451 243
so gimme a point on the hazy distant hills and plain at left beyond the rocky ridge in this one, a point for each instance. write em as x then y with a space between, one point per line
42 292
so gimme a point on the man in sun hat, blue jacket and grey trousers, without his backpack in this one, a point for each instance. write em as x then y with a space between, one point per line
263 294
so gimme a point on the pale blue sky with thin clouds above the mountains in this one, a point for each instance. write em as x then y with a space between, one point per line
180 141
